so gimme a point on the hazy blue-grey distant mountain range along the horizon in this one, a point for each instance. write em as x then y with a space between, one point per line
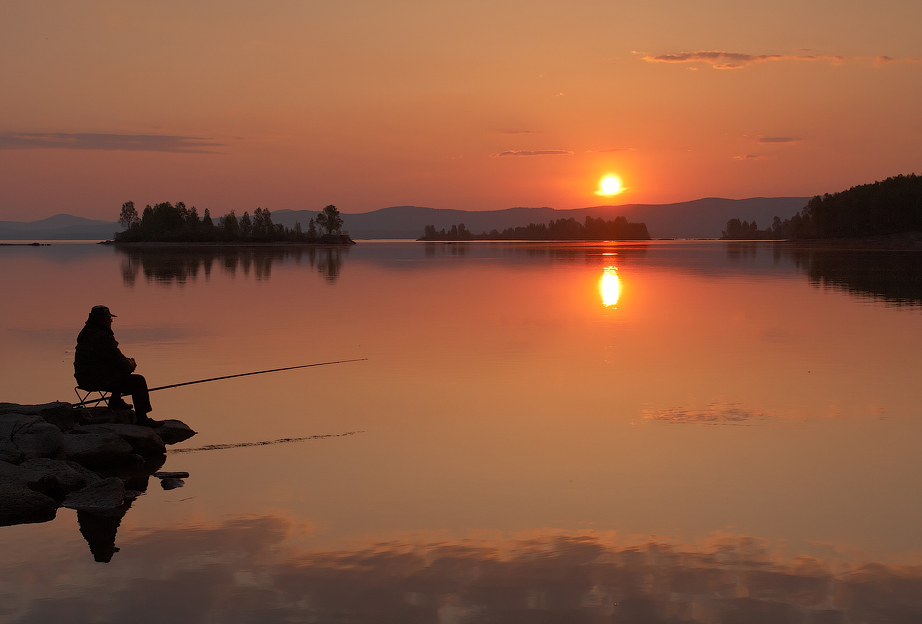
701 218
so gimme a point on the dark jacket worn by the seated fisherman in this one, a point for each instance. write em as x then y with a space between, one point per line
97 360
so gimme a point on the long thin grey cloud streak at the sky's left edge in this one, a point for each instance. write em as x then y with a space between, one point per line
108 142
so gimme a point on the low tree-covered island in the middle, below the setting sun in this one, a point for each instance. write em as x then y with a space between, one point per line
560 229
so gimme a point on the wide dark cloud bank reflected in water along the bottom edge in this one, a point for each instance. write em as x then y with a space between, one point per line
248 569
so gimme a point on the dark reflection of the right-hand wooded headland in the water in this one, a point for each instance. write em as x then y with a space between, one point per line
894 276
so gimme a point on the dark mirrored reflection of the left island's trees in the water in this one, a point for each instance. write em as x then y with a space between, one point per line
169 264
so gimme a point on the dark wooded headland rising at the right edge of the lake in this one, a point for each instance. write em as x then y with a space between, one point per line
891 206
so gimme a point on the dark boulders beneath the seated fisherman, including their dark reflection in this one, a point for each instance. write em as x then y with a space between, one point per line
95 461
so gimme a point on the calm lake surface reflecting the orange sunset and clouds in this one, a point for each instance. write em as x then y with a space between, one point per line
661 432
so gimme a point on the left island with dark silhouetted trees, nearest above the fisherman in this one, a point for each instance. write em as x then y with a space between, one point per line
166 222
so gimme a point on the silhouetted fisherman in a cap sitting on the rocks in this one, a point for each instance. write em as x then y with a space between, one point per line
99 365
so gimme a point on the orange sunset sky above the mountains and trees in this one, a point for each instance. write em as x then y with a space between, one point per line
472 105
